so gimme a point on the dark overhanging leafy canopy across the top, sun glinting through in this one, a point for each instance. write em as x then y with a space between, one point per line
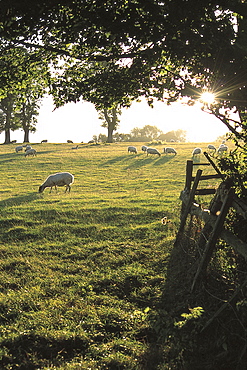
113 52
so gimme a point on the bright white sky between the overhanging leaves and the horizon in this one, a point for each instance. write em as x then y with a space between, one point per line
79 122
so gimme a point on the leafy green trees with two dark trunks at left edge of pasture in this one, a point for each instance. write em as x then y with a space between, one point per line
23 83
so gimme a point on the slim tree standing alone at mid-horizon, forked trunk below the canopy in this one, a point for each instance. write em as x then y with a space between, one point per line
110 118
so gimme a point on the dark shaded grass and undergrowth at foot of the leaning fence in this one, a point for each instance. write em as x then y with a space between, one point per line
200 349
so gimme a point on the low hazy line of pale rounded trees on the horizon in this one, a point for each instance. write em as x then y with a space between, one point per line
144 134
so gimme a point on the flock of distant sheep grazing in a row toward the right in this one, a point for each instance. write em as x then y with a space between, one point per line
169 150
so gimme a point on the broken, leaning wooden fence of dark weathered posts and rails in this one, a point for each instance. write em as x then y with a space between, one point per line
214 217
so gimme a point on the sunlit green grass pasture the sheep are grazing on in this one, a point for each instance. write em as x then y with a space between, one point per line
87 278
